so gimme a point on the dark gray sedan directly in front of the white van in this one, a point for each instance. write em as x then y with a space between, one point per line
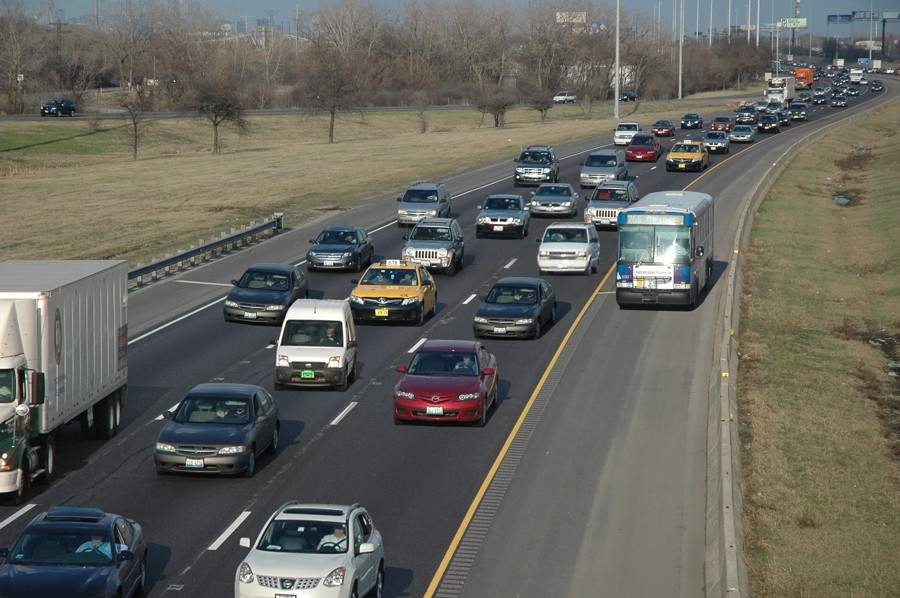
218 428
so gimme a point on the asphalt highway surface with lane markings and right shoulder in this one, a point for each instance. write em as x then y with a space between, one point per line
593 465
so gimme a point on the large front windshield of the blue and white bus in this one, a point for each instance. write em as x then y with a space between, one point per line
654 244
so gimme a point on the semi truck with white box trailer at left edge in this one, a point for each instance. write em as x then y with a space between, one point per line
63 349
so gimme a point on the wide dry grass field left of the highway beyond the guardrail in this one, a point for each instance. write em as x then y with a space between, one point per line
77 193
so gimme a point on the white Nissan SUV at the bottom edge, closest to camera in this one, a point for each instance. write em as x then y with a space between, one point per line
321 549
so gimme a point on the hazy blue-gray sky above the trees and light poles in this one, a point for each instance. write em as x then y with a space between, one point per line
815 11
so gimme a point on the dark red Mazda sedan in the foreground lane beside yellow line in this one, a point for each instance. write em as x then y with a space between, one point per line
447 380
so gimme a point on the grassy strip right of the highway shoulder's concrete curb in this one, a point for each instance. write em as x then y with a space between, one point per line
819 406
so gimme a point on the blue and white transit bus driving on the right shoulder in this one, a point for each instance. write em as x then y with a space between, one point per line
665 249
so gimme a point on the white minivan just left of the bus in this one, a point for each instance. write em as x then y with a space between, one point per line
569 247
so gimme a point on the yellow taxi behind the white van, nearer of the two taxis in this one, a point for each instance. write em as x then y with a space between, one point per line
394 291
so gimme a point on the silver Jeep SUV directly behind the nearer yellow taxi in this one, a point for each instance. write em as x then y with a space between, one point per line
437 244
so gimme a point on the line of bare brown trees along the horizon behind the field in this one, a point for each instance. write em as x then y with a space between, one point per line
351 54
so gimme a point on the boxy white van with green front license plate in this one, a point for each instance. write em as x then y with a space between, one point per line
317 345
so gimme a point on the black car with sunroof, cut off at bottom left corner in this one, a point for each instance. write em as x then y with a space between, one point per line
75 552
